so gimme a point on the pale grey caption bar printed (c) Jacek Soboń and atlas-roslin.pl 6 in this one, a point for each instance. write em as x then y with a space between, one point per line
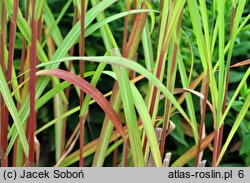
124 175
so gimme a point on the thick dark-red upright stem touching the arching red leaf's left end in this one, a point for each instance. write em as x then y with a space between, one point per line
32 86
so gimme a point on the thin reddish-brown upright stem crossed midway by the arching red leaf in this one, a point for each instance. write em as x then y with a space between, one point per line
82 50
